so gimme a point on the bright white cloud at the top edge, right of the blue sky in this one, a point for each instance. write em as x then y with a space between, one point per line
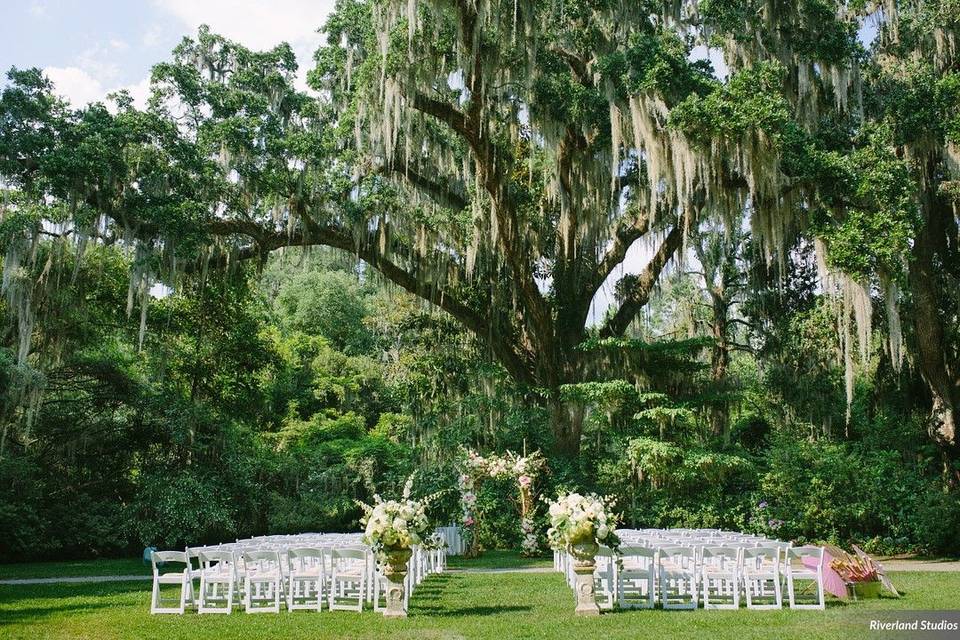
254 23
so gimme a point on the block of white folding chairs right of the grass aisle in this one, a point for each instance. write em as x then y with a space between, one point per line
679 576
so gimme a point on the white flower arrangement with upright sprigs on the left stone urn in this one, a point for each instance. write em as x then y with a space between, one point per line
396 524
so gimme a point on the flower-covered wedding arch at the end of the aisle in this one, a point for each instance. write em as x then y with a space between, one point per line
474 469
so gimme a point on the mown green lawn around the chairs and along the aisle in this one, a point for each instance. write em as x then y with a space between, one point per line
452 605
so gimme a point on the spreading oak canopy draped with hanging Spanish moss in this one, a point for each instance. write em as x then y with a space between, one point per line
500 159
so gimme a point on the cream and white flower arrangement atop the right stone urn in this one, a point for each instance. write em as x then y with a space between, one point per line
576 518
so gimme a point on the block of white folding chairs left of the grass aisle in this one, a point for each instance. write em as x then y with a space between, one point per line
259 576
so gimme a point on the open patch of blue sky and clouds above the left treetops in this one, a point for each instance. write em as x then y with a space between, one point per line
89 48
